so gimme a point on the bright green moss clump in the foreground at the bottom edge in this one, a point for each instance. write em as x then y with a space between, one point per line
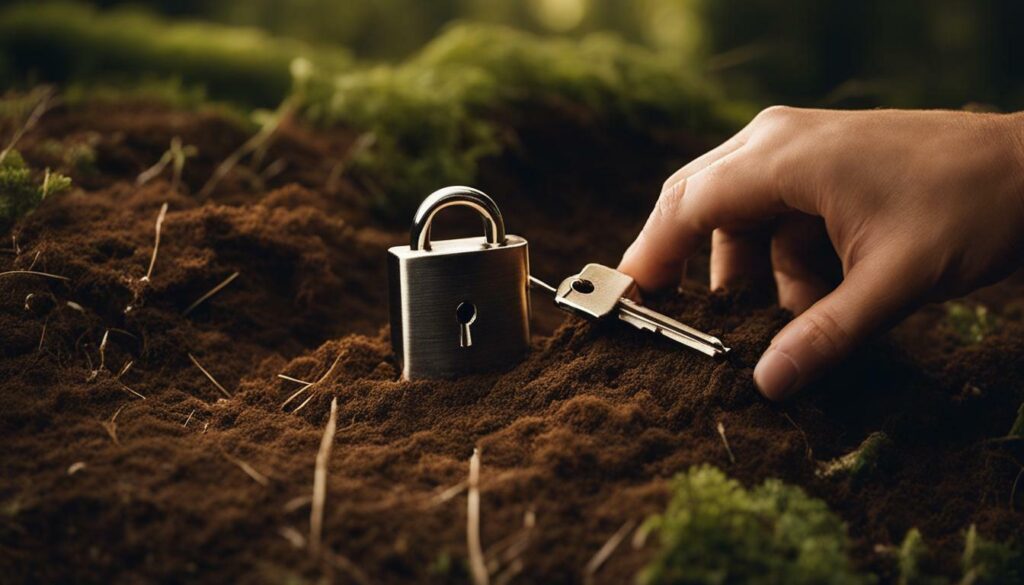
716 532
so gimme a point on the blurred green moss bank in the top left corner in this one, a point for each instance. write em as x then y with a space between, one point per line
68 41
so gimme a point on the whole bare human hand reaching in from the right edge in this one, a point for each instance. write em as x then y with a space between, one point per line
916 206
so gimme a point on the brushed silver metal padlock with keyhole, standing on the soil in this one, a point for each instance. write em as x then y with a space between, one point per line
459 307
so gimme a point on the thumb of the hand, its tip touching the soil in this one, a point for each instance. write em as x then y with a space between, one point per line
829 331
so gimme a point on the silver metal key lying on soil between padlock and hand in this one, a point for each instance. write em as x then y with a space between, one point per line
599 292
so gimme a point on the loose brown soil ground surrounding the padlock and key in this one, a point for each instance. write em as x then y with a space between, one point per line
582 437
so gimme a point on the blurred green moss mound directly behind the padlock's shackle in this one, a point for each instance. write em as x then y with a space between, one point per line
432 119
